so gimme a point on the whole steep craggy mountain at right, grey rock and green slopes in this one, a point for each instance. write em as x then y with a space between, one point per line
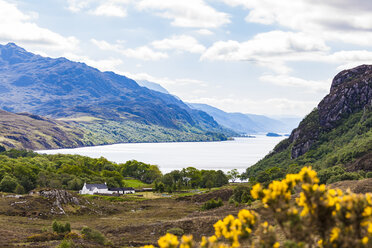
335 138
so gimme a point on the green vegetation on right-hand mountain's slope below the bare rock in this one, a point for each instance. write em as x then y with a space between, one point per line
333 150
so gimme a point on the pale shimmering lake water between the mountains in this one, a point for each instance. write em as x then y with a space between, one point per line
239 153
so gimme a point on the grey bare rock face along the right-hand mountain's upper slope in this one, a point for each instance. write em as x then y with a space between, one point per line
351 92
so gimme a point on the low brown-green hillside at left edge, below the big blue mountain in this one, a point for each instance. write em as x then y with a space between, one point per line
26 131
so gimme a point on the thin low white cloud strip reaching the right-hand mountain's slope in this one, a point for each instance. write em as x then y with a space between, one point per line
288 81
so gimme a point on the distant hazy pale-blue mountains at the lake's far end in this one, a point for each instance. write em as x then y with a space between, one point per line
245 123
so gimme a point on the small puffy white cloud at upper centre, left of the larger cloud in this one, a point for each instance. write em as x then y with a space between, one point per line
180 43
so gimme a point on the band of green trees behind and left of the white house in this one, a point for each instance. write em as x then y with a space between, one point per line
30 170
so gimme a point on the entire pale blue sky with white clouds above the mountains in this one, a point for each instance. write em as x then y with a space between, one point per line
252 56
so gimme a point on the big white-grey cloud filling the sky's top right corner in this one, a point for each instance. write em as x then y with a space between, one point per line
340 20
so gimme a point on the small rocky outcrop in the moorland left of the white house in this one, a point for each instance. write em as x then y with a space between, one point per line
59 198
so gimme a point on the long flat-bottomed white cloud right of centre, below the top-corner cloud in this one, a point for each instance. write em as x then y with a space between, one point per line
271 49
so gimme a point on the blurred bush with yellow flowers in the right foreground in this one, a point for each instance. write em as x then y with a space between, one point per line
317 217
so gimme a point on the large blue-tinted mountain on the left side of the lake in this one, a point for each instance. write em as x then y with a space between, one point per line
62 89
